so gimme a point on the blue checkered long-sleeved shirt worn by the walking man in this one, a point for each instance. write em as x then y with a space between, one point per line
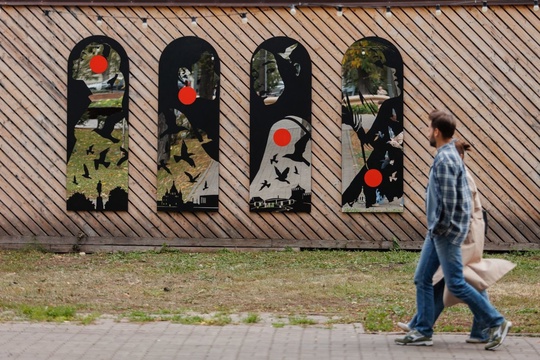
448 197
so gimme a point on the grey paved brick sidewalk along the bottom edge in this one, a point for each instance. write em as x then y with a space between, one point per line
165 341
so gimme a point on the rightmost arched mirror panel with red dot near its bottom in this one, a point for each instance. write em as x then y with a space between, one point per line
372 127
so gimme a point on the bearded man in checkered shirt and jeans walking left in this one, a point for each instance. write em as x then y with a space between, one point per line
448 210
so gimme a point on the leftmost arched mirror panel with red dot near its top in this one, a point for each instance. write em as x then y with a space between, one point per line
97 126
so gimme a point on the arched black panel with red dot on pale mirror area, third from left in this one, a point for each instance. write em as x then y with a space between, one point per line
280 127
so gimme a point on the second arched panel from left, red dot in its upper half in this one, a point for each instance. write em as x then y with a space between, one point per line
188 127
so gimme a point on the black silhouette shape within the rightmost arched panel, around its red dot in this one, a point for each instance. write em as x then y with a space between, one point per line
383 137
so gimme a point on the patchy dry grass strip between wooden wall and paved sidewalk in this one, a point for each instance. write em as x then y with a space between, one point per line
374 288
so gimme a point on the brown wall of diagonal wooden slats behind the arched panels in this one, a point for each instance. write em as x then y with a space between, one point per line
481 66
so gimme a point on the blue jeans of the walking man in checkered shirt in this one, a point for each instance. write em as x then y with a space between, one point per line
438 251
